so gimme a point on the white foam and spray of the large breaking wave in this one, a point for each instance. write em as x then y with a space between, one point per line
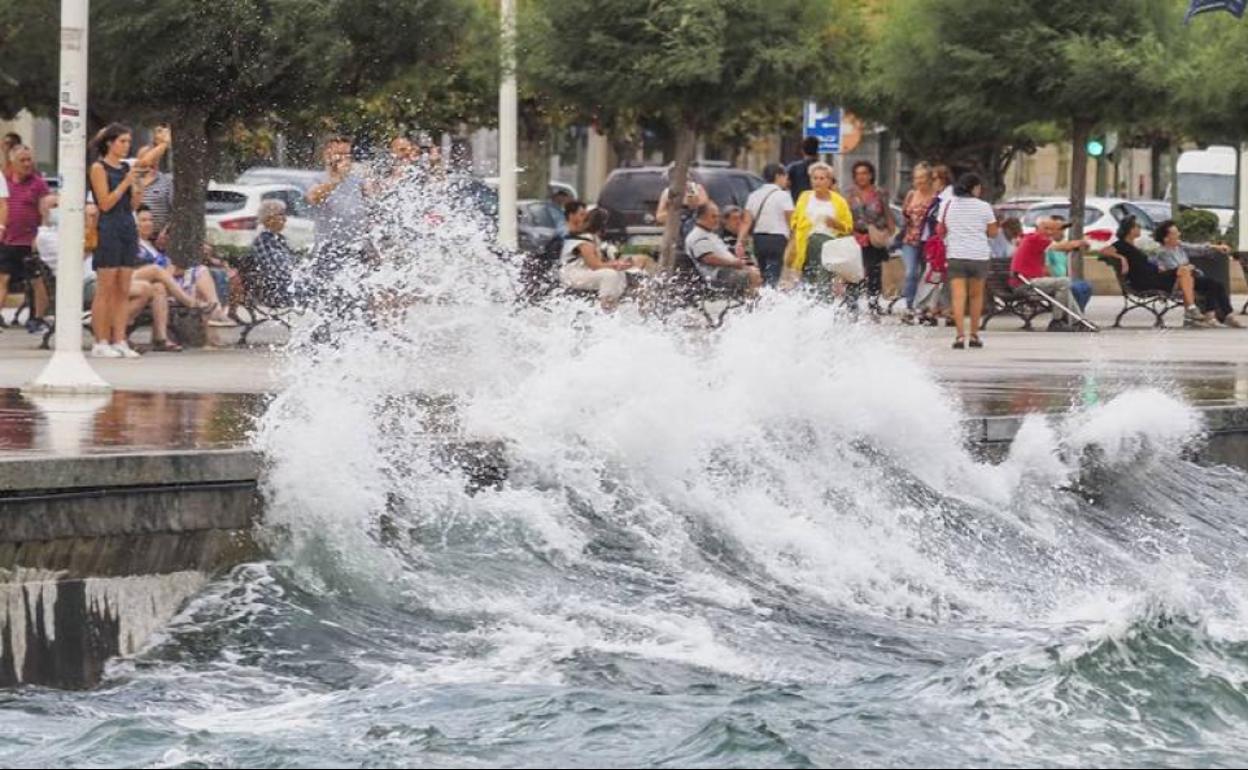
791 454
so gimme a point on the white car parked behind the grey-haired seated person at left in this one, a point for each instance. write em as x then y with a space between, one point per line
233 215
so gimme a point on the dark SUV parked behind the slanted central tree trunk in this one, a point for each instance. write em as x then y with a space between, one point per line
632 195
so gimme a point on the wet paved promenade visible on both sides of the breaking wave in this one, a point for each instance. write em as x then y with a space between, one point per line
210 399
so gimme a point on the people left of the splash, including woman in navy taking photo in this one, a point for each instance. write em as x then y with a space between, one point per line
128 269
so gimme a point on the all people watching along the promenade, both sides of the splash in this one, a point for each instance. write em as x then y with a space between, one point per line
799 229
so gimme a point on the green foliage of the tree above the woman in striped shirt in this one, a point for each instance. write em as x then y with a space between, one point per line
970 82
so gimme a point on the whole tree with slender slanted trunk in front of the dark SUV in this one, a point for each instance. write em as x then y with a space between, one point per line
693 64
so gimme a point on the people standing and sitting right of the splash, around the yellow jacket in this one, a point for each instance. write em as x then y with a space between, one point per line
794 231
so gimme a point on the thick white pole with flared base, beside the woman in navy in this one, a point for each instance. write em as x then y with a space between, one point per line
68 371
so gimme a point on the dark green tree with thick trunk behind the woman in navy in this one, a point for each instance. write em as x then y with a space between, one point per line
208 66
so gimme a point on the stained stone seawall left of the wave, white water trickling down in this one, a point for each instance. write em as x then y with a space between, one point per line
98 553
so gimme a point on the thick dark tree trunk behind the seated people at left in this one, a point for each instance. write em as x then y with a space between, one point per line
190 184
